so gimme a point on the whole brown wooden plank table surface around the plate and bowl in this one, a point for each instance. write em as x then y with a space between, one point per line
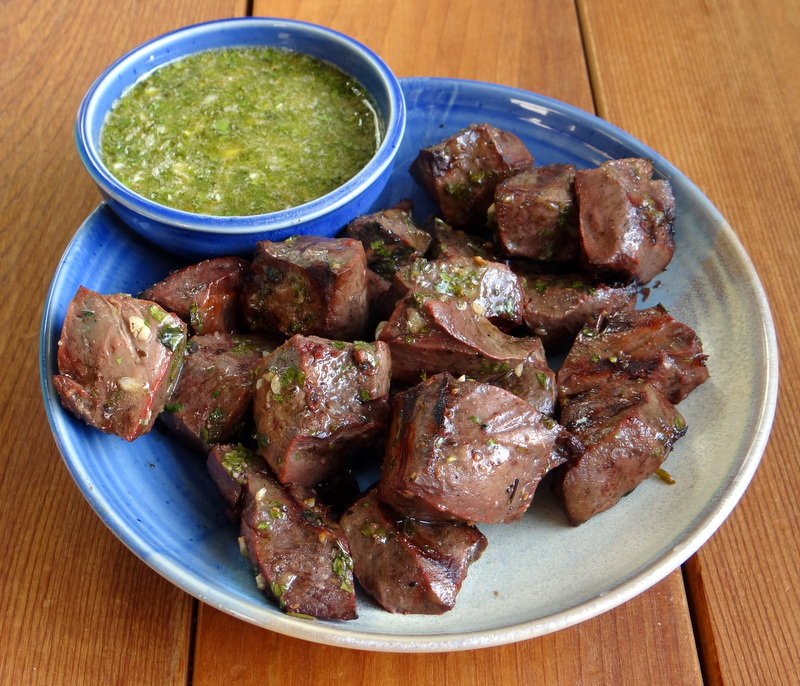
713 86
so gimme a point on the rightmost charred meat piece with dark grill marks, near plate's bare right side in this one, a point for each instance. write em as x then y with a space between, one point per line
635 344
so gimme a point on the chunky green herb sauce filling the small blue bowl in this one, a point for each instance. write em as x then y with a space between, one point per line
240 131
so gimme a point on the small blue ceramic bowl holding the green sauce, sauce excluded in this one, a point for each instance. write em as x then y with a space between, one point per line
200 235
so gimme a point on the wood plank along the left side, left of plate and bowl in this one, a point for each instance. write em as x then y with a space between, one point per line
76 606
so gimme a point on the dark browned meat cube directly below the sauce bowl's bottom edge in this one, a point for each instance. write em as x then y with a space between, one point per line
308 285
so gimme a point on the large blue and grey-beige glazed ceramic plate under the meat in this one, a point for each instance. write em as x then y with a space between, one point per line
539 574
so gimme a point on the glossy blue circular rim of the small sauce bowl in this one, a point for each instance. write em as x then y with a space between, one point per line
89 113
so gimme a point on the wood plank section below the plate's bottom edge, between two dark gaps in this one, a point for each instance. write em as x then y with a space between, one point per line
640 651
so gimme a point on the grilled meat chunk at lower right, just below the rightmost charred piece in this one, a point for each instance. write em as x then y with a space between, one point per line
627 428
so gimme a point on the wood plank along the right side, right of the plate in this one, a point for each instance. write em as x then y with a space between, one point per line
714 88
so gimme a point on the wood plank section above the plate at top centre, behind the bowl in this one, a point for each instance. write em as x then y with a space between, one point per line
531 45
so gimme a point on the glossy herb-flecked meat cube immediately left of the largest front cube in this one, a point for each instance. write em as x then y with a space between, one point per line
317 402
